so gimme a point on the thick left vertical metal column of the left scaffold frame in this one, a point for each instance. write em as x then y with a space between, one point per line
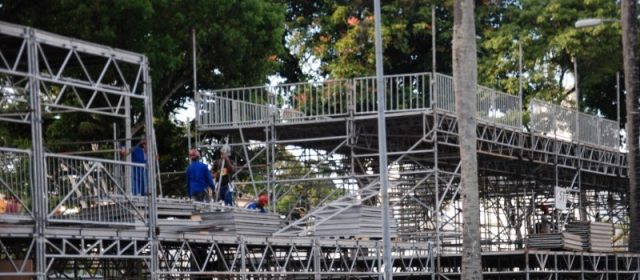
38 179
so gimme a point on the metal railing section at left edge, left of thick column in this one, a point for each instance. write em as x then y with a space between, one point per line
15 180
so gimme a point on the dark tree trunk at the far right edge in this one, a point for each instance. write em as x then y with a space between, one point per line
632 85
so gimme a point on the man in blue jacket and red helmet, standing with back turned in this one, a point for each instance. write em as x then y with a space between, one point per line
198 178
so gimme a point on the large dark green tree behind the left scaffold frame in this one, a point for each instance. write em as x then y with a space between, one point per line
238 44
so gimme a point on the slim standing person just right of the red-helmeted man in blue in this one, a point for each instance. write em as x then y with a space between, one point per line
223 172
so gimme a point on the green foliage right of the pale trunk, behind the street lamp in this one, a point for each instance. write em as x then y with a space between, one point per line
549 40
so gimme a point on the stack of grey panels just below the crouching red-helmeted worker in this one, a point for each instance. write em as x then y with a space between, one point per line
240 221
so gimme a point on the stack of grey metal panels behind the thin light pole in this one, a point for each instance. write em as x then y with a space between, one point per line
356 222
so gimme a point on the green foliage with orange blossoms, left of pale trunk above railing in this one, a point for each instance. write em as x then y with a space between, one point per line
340 35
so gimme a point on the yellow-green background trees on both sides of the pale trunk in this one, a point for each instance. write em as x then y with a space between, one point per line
337 36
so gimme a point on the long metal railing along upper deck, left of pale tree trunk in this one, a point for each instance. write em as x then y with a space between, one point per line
296 102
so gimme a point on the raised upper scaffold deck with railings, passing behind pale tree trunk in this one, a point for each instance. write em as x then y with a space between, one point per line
325 112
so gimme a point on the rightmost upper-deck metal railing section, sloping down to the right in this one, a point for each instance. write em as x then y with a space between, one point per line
567 124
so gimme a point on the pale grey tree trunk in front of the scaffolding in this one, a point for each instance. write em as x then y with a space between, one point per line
464 84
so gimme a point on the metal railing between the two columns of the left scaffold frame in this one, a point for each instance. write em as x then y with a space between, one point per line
90 190
